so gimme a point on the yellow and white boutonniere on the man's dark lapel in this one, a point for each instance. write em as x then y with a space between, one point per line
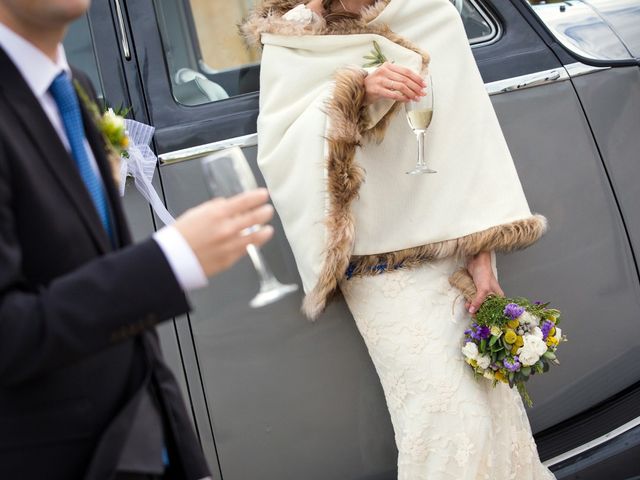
111 124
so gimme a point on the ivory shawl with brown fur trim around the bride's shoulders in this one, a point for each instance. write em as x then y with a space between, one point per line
335 168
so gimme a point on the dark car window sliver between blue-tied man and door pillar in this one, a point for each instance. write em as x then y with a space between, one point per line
79 48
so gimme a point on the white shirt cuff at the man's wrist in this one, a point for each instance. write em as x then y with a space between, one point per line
181 259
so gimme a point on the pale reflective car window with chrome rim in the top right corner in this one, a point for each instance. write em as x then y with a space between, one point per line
594 29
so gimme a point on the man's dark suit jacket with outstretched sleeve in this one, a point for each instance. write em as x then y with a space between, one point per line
77 343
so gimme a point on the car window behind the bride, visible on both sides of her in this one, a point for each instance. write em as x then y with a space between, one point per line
208 61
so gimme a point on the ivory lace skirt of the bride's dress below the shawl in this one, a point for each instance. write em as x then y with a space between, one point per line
448 425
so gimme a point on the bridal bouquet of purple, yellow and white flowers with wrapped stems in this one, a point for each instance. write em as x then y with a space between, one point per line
511 339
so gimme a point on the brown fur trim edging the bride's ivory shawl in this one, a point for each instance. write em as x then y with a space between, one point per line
348 118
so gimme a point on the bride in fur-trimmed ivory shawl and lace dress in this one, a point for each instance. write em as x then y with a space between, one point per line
333 148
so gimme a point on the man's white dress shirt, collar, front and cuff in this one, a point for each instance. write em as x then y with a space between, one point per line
39 71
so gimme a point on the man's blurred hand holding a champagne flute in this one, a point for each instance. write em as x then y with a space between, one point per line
214 229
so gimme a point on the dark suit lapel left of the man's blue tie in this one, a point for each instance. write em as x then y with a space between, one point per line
52 151
